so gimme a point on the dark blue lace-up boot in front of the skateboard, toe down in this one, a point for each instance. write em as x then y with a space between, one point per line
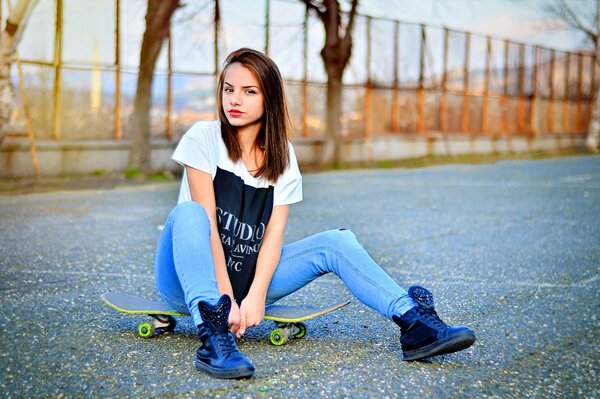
219 355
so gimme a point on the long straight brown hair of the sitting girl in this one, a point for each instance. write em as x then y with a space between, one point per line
274 132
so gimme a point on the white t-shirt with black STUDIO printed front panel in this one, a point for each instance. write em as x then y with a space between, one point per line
244 202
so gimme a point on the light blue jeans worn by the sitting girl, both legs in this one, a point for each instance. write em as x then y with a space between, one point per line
185 272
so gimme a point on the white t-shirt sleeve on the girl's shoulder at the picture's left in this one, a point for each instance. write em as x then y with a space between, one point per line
196 149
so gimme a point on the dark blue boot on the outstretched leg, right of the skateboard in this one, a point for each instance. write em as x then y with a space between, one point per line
424 334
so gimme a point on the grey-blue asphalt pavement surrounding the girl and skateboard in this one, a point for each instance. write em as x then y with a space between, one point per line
511 249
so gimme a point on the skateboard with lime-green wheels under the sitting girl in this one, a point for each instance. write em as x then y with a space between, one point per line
288 319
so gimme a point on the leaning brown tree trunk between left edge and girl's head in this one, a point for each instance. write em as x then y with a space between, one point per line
158 19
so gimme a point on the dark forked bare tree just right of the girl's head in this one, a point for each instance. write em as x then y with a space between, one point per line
336 54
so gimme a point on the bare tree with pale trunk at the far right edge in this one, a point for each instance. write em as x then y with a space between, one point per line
580 16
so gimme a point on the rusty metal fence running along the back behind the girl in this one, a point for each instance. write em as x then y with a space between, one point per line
427 81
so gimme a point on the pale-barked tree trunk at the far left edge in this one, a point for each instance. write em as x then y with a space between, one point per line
9 40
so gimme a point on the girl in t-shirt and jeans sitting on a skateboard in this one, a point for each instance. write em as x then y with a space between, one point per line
221 255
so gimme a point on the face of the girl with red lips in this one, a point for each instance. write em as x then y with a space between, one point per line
242 97
